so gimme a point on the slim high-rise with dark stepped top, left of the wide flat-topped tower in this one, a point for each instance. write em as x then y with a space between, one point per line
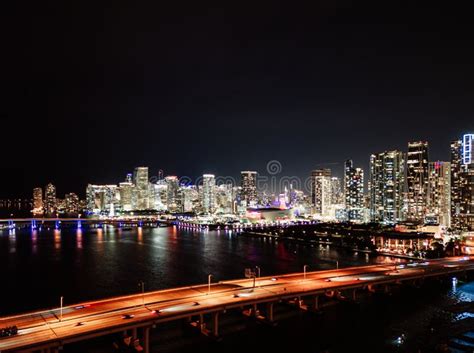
354 191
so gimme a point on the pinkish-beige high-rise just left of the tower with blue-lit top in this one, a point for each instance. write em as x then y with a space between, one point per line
439 193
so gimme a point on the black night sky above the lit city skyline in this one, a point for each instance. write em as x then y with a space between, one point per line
195 86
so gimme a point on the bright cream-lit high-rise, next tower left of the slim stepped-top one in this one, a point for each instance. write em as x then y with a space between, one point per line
321 191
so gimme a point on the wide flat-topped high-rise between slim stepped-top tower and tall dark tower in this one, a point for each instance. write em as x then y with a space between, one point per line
386 186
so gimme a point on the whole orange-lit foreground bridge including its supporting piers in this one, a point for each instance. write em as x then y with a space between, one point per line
202 305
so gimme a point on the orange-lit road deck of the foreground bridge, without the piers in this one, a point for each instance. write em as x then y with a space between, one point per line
159 306
